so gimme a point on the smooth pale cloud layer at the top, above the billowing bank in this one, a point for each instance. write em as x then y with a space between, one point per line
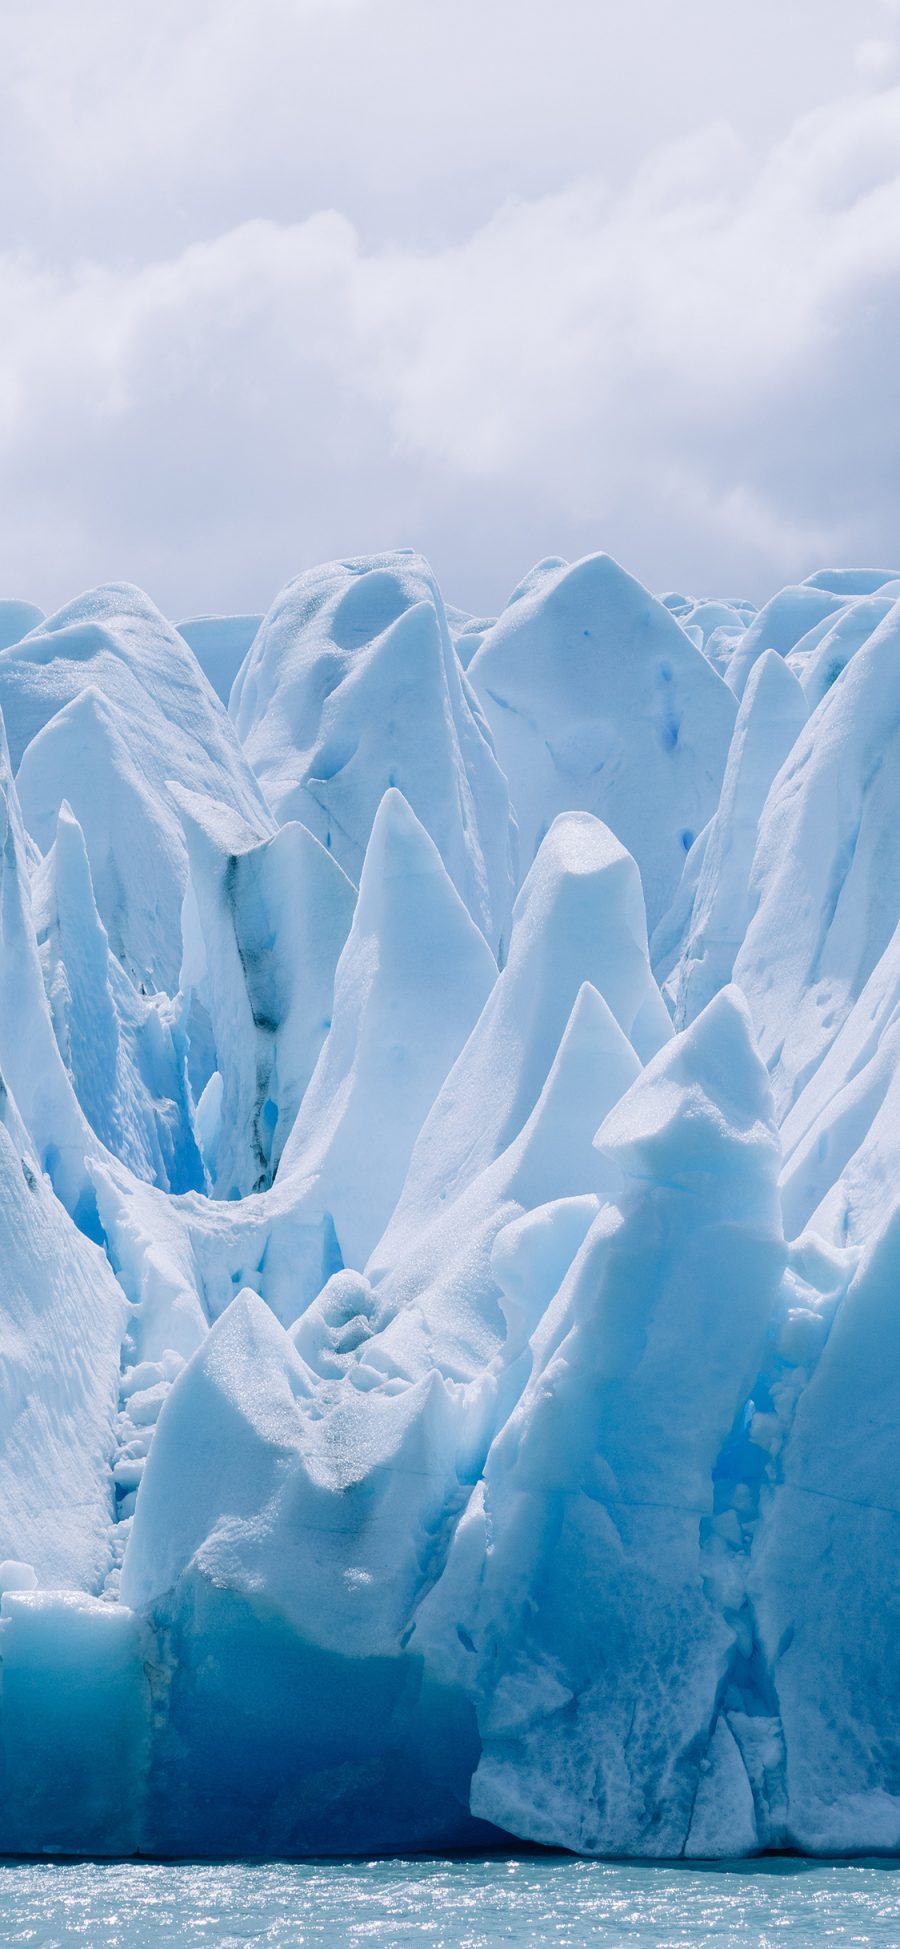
133 128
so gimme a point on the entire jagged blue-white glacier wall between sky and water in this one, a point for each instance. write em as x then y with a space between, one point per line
451 1219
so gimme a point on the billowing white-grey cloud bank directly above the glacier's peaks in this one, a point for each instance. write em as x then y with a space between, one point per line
696 369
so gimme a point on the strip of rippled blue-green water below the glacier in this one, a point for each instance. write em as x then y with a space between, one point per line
447 1905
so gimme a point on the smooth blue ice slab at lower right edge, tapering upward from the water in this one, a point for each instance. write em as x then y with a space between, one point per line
825 1572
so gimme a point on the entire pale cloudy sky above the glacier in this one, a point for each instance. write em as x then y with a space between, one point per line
498 280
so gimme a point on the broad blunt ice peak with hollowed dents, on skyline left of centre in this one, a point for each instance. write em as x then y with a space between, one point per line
354 687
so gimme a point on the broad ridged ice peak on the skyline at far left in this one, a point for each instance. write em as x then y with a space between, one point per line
77 691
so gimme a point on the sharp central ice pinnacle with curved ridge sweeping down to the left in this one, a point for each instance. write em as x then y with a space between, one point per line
410 985
